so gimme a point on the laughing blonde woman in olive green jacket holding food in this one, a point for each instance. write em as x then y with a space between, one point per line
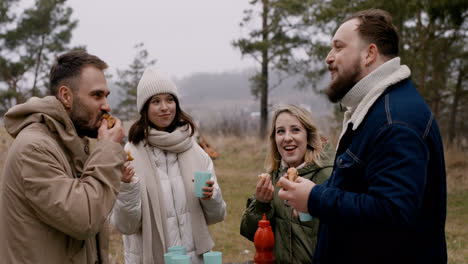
294 141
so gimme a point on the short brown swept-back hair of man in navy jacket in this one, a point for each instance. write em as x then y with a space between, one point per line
375 26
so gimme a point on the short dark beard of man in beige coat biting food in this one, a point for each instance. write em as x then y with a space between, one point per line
81 118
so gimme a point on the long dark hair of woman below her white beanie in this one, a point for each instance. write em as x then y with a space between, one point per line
140 129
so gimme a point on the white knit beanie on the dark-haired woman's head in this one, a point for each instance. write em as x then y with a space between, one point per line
151 83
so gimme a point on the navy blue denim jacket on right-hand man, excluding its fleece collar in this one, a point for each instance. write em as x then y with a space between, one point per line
385 201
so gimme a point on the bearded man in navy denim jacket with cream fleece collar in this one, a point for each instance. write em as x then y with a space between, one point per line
385 201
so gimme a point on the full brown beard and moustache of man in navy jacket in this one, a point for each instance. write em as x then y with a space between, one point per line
339 87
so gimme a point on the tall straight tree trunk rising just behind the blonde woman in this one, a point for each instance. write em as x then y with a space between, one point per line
264 78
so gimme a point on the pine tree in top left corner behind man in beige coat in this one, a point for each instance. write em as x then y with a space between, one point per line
29 42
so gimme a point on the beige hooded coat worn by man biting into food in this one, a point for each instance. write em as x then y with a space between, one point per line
55 196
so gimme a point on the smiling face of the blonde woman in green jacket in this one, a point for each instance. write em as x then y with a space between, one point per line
291 139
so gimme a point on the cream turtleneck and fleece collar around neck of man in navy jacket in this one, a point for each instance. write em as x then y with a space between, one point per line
364 94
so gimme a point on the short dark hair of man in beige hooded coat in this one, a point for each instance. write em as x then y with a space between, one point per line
67 69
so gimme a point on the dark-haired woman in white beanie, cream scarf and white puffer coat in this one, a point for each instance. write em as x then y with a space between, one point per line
156 207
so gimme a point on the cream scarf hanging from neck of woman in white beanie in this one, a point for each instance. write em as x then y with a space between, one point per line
154 228
